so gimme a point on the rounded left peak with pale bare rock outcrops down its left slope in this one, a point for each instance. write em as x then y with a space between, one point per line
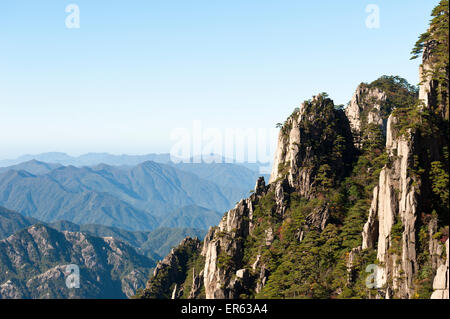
307 135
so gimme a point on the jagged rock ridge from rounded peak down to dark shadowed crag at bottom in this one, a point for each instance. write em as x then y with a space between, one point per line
301 168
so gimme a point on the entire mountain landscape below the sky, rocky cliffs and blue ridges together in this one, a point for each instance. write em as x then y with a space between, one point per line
356 207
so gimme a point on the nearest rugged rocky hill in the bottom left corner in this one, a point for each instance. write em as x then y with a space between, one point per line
34 262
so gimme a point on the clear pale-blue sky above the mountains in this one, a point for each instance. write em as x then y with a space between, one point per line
137 69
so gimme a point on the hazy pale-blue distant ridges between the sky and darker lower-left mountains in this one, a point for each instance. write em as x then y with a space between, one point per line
135 198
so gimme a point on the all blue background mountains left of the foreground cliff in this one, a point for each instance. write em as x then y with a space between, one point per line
114 222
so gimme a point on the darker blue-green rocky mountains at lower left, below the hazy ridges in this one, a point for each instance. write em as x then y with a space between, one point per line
113 262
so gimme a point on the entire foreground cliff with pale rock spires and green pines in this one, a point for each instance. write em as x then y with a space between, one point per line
331 209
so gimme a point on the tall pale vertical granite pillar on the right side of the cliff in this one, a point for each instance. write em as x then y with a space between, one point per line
395 203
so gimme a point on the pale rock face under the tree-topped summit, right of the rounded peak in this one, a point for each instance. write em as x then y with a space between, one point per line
365 108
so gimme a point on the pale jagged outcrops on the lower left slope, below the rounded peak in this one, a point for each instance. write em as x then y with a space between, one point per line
223 246
